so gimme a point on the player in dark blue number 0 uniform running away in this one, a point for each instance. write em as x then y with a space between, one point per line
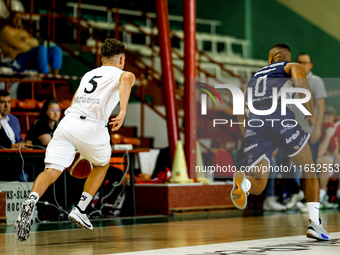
268 126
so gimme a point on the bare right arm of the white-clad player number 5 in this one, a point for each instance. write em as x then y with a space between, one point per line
127 80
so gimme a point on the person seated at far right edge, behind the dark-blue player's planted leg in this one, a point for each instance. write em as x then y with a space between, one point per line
328 155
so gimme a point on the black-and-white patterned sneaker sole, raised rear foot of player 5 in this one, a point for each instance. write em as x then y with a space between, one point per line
22 226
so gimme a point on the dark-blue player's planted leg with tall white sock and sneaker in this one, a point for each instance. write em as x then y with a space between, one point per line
303 159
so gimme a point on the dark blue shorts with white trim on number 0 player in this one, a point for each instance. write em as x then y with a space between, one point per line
262 140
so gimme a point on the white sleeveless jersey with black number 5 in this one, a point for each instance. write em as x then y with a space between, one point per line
97 94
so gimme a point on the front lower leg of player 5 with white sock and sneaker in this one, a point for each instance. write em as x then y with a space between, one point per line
92 184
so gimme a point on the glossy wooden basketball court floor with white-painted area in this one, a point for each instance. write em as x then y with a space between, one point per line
227 232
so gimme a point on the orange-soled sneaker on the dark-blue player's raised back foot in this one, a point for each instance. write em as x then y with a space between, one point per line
239 194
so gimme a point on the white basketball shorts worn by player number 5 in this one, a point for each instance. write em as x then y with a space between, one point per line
88 137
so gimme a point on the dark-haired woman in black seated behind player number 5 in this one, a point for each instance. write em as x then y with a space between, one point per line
42 130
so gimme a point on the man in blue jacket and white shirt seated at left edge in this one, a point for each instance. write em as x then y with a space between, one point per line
10 124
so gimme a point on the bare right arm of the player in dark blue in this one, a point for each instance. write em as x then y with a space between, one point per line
297 72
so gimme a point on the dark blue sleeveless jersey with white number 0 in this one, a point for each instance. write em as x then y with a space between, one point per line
263 82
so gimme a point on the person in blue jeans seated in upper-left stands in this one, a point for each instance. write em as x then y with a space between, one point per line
17 44
